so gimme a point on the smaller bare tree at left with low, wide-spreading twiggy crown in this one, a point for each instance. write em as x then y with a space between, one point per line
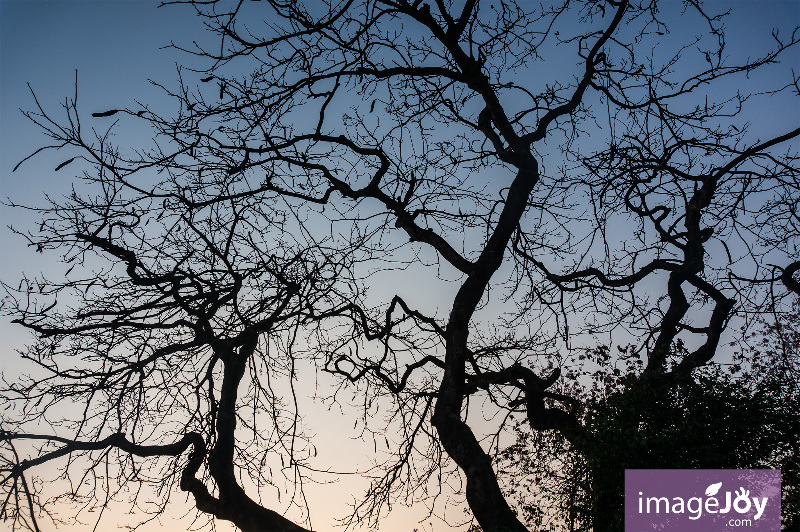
191 315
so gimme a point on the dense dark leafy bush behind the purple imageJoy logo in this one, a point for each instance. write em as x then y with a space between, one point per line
719 418
